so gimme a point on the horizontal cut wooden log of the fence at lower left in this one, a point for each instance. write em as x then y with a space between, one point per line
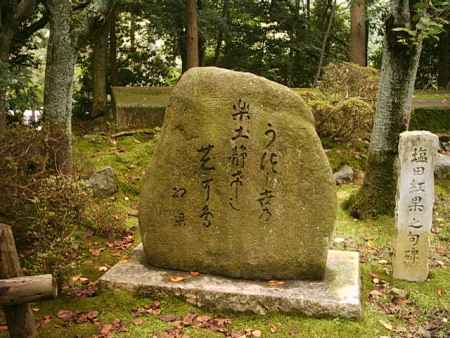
20 290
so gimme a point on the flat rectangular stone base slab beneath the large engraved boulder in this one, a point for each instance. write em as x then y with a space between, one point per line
338 295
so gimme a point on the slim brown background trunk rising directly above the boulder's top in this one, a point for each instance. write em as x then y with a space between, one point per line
192 34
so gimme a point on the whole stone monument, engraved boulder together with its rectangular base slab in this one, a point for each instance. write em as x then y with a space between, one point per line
240 187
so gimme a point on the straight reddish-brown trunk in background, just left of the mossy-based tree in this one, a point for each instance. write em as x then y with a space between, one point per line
358 35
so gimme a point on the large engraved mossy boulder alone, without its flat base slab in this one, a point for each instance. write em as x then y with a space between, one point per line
239 184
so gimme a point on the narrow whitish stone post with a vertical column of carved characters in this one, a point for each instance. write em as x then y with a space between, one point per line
414 208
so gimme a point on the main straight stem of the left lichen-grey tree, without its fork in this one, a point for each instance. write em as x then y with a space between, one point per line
59 73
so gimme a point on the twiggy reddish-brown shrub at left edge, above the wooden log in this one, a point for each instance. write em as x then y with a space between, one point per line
45 209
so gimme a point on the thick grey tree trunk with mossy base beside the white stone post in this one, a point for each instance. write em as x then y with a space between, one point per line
394 104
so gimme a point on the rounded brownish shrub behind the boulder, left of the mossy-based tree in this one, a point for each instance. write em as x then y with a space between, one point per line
347 80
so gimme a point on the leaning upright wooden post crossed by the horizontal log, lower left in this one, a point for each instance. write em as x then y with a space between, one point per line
19 318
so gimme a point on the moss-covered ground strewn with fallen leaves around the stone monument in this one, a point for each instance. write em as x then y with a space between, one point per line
391 308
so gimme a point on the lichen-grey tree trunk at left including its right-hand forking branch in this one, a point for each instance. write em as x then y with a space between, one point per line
67 32
